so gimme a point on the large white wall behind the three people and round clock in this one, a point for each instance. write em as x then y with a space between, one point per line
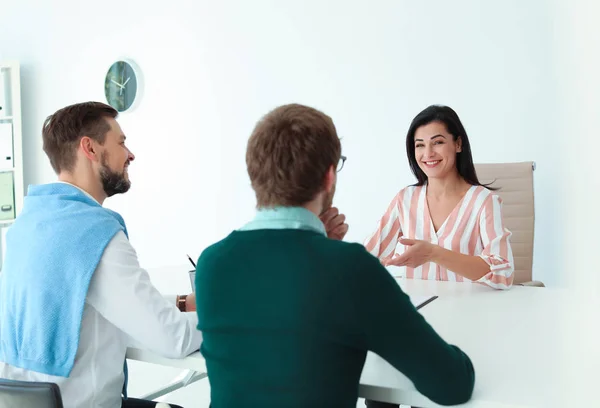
212 70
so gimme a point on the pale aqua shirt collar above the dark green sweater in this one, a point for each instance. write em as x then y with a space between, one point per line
285 218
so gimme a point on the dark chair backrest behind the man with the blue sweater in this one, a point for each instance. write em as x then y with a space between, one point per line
24 394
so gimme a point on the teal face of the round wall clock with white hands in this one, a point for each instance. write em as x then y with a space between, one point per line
121 86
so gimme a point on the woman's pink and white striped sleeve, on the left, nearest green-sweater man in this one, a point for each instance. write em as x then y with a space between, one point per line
383 241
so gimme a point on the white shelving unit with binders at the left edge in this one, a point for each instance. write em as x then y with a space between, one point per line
11 147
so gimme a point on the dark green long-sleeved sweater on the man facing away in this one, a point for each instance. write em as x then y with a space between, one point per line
289 315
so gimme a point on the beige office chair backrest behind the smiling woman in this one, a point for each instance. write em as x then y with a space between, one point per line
515 183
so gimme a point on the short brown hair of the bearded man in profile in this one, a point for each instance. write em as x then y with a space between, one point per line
63 130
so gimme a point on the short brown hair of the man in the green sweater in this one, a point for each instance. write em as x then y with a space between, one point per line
289 154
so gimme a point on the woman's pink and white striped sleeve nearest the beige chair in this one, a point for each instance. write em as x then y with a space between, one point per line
497 251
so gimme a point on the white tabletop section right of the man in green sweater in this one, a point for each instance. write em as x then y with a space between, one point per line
528 347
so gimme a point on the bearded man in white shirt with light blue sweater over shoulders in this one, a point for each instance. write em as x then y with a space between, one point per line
73 295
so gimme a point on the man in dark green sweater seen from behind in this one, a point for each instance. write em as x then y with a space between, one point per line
288 314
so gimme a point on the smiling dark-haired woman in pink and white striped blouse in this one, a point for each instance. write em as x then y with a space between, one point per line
447 226
